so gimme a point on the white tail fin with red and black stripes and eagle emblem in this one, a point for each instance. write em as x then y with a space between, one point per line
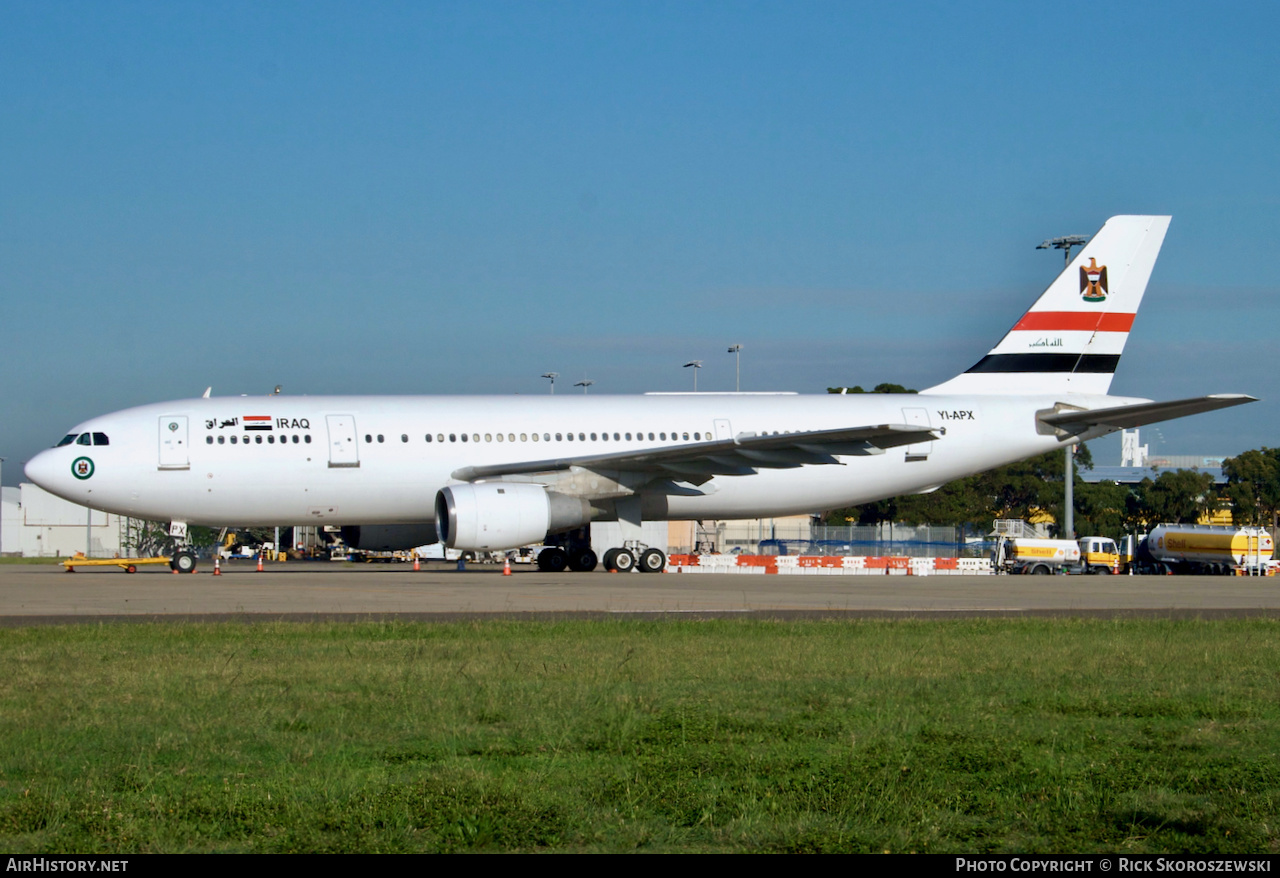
1073 337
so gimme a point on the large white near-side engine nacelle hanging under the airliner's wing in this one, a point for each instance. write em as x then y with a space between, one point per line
504 515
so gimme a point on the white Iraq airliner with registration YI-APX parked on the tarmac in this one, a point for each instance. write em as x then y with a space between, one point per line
496 473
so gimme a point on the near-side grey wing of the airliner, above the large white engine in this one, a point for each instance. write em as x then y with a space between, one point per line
739 456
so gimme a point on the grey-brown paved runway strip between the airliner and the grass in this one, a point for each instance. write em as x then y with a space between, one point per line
40 595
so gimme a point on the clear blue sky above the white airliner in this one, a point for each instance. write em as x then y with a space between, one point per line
415 198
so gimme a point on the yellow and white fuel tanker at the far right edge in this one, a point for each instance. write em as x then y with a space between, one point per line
1200 550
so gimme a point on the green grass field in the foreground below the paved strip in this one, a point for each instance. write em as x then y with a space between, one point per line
952 737
